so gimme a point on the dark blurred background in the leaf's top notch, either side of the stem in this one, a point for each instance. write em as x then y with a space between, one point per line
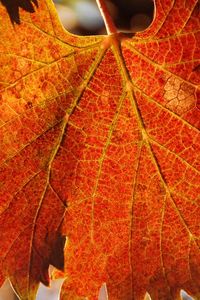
82 16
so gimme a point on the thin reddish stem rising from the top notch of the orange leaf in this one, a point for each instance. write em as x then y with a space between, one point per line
109 24
